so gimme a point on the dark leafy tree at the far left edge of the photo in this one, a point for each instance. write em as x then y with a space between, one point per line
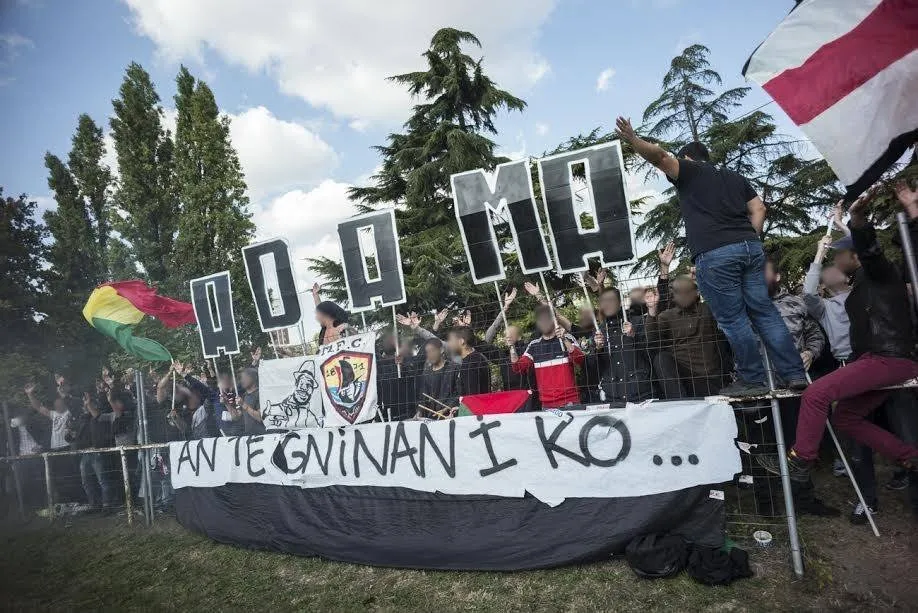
22 291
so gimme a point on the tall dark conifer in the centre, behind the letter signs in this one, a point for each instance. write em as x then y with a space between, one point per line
447 133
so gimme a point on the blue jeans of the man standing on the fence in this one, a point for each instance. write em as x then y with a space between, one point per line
732 280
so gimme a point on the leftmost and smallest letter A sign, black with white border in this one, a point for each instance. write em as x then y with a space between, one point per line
212 298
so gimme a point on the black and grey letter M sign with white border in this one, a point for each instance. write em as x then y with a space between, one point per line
473 201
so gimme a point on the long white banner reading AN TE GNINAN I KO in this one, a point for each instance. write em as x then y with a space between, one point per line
599 453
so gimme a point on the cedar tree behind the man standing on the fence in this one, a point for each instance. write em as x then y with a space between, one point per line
797 191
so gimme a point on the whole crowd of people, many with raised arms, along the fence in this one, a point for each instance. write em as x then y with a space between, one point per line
729 327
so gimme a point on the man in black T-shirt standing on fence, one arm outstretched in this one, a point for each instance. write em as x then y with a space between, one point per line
723 220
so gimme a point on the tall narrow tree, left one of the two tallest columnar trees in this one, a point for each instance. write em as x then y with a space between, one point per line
145 194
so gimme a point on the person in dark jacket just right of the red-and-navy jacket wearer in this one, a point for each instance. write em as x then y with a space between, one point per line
621 353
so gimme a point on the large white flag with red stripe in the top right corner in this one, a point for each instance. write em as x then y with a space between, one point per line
846 72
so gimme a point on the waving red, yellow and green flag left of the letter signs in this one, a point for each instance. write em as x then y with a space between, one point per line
115 308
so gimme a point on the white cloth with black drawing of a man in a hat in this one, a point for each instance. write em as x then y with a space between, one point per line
290 393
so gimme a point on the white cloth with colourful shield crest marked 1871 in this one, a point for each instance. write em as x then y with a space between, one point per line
349 380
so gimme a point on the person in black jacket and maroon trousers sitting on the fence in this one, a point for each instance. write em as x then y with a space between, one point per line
882 345
